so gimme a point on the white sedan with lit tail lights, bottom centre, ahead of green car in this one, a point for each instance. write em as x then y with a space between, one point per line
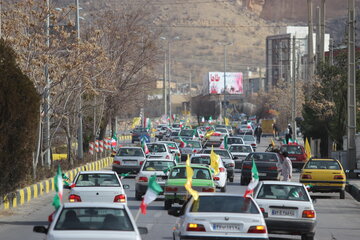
219 216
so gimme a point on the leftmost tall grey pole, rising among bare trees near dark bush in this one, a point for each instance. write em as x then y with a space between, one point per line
46 137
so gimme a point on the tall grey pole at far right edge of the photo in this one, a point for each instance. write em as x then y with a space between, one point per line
351 92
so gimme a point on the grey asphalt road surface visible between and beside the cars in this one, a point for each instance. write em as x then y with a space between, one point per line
337 219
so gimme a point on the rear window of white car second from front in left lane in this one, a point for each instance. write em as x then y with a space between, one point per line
97 180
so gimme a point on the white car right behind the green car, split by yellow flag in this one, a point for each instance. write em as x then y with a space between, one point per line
221 177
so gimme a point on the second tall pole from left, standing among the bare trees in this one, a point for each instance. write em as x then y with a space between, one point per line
80 129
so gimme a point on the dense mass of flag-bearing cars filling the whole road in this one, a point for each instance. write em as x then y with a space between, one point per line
189 168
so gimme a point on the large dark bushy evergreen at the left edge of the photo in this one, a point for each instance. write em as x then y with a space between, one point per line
19 113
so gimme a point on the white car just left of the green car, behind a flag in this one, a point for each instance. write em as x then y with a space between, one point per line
159 167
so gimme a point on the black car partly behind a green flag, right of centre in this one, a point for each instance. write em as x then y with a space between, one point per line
267 163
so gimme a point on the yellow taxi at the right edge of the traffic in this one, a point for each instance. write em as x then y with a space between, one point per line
324 175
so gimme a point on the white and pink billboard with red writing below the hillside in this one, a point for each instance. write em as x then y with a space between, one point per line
234 83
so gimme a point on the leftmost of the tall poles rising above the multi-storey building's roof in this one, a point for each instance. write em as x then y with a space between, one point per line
310 42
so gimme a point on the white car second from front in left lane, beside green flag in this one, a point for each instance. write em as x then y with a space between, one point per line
97 186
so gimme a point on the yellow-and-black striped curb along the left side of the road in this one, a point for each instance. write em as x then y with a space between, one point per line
26 194
